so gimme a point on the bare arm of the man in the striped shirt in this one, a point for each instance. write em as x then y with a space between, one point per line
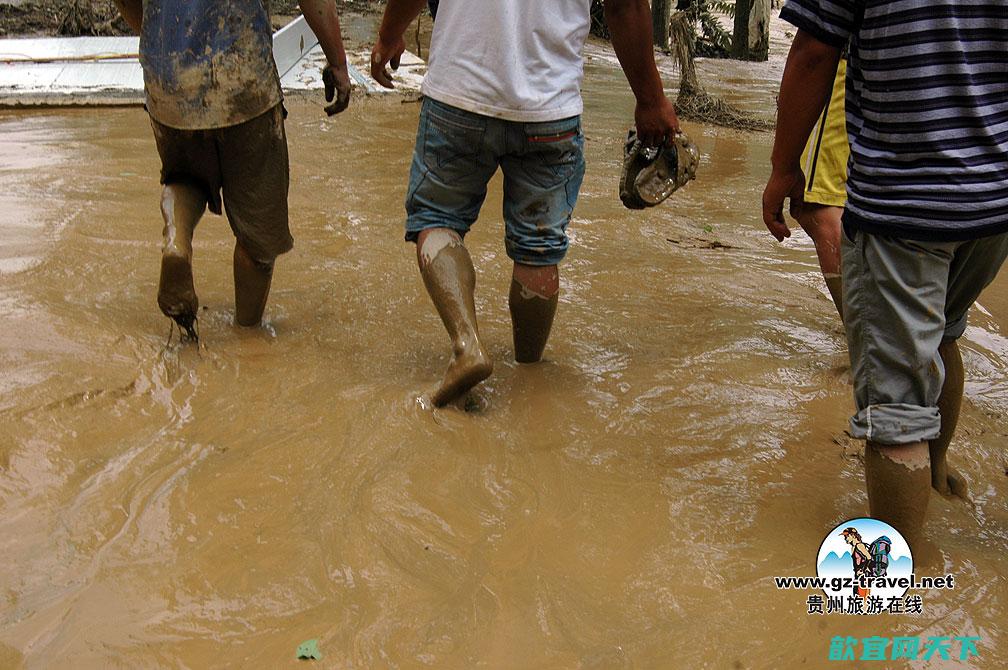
805 91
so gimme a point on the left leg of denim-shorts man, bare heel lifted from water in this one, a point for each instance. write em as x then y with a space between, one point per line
451 281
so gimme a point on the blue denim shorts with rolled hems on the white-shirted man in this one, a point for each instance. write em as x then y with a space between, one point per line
458 153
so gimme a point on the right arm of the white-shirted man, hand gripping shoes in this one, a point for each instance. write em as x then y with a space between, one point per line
629 25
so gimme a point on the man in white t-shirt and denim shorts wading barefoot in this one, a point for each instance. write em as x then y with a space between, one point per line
503 90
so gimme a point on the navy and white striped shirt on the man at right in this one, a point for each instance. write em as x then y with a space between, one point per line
927 112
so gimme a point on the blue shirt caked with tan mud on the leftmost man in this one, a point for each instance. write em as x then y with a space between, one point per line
208 64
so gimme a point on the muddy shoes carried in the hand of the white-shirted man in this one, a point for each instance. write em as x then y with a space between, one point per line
653 175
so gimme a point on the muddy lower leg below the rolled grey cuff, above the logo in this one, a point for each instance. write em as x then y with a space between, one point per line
899 479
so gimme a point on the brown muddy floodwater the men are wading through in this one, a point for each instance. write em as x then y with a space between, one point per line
624 504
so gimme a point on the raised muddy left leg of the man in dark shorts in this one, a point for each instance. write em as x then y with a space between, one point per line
182 207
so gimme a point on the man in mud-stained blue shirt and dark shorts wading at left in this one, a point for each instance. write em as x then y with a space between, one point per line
215 103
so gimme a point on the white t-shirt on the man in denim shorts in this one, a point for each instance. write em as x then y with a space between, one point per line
516 60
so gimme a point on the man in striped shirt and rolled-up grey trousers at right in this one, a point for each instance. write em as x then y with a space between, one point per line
926 226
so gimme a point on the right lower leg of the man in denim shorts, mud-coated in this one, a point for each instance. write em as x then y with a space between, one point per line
535 291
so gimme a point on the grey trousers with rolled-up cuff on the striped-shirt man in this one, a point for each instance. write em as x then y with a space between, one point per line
902 299
